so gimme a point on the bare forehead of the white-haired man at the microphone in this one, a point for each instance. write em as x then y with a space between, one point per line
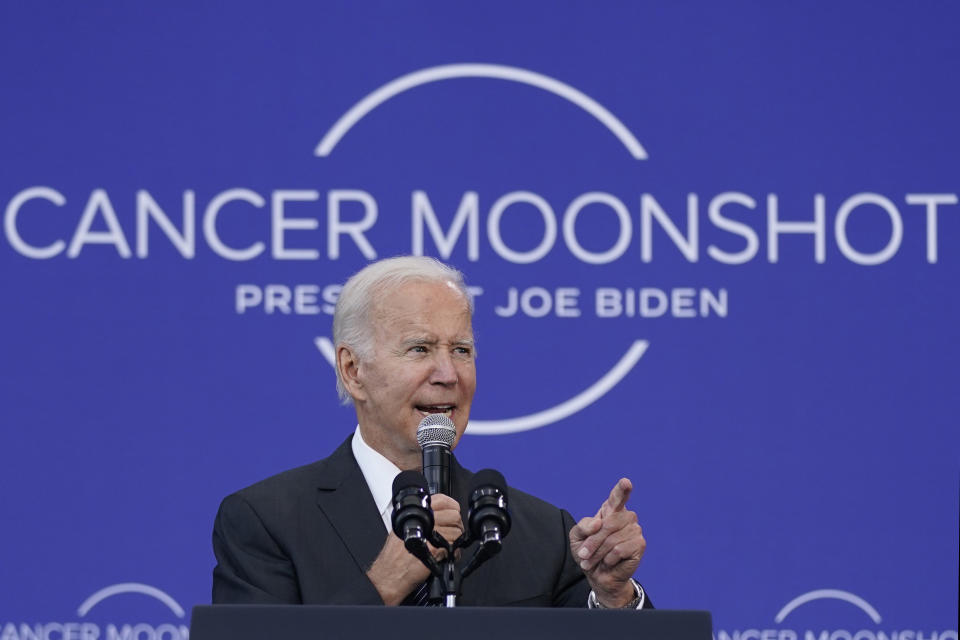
437 308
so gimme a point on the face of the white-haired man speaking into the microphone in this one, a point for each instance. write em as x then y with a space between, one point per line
422 363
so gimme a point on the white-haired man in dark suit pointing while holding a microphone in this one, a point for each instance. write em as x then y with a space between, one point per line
321 533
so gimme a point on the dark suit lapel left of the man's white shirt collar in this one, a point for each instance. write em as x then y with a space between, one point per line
346 501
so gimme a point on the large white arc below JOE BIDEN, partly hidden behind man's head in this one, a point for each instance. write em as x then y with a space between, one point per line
542 418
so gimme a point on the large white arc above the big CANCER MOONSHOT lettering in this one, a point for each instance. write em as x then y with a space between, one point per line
476 70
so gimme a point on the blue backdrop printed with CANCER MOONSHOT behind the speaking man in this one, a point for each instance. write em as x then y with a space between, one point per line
715 246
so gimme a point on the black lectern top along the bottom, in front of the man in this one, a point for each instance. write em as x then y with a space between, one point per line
300 622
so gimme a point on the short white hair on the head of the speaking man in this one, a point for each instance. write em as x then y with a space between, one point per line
351 319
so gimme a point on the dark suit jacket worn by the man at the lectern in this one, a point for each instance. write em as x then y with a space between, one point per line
308 535
